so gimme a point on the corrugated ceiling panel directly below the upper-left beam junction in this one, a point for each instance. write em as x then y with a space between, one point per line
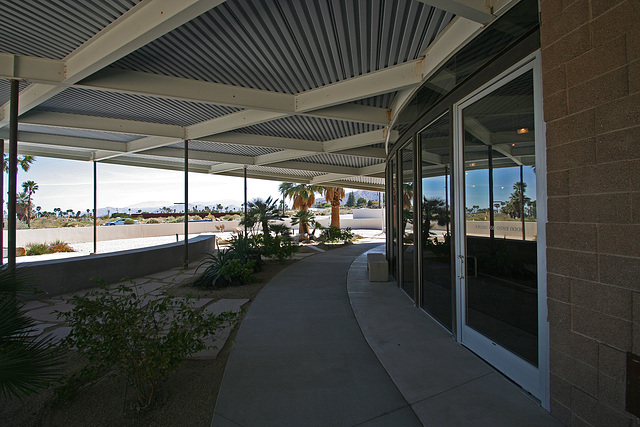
133 107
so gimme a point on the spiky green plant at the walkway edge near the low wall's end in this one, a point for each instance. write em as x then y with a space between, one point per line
224 269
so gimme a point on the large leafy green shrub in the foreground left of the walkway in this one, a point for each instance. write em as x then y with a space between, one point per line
117 330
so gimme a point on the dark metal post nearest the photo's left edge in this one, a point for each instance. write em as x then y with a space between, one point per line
13 172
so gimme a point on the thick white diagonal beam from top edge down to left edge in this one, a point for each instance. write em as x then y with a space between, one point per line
140 25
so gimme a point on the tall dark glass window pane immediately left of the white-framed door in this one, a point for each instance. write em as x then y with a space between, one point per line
437 281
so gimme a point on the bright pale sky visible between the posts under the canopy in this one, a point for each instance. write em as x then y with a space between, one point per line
68 184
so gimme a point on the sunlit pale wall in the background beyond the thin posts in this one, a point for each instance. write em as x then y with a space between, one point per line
115 232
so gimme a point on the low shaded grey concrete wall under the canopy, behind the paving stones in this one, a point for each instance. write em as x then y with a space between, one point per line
66 275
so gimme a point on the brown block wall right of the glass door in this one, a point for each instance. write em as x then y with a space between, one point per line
591 77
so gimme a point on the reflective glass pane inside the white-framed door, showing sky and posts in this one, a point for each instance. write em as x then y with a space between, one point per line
500 216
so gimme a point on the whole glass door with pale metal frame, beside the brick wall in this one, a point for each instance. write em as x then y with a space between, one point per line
497 248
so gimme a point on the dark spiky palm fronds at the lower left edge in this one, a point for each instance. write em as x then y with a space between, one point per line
27 363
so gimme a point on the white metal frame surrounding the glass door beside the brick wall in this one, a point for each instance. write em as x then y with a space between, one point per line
533 379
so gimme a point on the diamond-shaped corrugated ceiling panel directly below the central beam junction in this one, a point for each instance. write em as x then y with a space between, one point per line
310 128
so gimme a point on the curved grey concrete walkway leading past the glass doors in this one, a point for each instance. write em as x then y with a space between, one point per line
301 358
